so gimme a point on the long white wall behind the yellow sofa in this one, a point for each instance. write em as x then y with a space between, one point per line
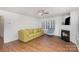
14 22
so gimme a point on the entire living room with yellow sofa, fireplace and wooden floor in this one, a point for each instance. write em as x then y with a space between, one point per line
40 28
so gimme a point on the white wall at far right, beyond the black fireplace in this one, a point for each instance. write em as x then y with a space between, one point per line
74 27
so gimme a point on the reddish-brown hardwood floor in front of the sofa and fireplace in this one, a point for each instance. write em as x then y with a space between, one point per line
41 44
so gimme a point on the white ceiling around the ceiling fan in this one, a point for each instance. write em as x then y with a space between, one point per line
32 11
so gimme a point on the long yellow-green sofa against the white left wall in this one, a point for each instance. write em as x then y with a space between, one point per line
29 34
